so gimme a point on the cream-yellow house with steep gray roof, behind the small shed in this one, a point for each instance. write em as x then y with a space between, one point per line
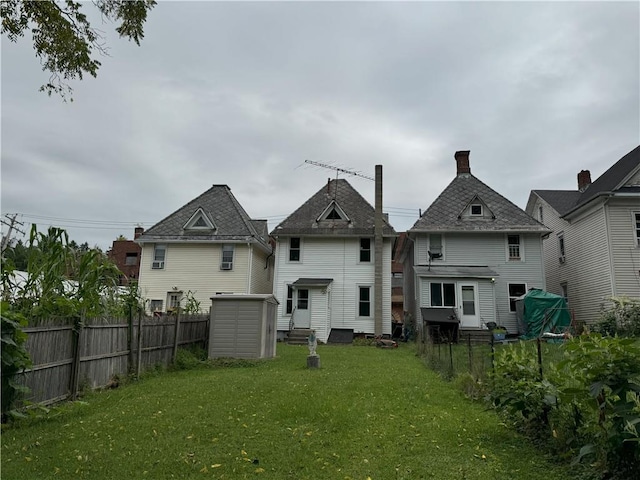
207 247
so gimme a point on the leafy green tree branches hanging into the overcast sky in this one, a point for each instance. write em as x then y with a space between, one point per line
63 37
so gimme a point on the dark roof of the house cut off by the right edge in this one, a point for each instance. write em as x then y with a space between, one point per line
611 181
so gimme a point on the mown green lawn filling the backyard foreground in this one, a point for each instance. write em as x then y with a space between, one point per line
367 413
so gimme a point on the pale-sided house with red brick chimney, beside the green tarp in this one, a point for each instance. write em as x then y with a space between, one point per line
471 254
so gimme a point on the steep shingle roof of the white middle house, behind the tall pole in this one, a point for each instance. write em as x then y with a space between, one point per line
306 219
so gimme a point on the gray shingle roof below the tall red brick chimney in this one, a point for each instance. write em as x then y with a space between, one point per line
444 214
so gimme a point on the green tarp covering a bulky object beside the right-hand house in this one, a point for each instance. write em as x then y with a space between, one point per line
539 312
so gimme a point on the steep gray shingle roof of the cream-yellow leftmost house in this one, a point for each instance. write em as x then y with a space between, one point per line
231 221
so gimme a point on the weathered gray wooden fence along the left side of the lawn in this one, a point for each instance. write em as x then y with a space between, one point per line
66 360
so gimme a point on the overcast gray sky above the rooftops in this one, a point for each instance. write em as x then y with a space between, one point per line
242 93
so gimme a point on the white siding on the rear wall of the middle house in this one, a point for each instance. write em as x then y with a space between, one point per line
338 259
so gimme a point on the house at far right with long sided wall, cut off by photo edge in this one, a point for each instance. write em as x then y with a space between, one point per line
594 250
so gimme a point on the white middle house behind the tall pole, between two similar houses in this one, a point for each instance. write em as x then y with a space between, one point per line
325 271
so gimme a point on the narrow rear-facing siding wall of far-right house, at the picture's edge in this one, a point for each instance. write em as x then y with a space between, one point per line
625 252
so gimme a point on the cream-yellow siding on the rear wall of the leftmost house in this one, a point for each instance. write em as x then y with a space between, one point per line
194 267
